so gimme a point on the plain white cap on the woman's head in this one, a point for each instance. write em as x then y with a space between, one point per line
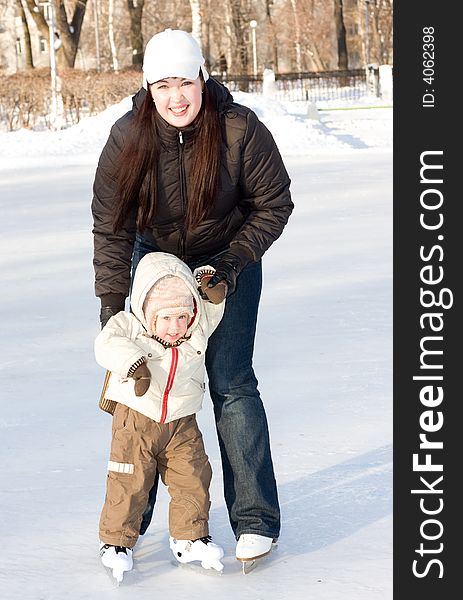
173 53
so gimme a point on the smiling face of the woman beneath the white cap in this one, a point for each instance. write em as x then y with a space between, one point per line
177 100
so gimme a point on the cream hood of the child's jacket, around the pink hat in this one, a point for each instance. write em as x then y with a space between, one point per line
153 267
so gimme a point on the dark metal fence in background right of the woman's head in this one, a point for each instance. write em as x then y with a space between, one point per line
321 86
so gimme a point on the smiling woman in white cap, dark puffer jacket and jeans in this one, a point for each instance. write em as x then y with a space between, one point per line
189 172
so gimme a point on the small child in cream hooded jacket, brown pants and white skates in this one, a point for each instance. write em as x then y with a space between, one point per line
156 359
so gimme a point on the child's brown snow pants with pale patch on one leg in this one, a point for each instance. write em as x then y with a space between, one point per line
139 448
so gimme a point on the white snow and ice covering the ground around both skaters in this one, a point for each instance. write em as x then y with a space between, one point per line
323 359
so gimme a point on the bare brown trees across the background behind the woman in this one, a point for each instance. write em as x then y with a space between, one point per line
110 35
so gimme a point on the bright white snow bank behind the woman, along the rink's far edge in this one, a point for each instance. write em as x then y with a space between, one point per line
337 131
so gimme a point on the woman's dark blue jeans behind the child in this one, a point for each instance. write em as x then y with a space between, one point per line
248 477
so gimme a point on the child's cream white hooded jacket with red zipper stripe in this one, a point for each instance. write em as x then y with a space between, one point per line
177 374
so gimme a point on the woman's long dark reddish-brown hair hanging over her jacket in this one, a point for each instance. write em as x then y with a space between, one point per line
136 169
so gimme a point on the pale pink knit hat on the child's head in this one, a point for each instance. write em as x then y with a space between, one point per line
168 297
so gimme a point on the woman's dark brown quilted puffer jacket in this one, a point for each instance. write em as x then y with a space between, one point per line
250 213
